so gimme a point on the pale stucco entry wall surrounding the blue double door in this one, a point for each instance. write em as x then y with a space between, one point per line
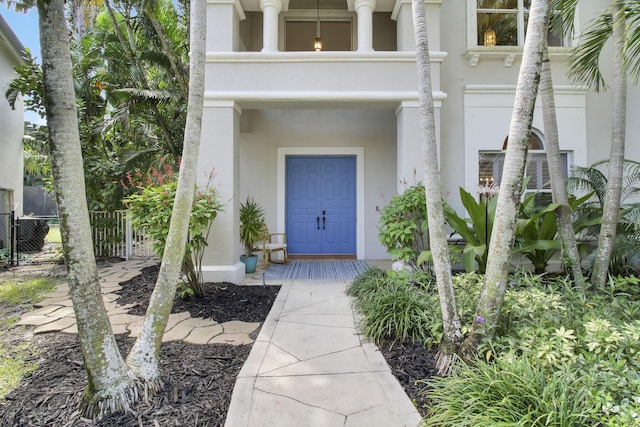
372 131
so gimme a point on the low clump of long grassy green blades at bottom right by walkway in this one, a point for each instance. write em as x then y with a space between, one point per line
508 392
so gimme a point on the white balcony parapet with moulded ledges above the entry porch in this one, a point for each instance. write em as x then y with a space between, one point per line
350 79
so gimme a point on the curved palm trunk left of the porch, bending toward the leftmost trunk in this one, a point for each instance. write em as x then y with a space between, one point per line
144 355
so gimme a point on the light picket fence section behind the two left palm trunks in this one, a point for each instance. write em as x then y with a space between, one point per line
114 236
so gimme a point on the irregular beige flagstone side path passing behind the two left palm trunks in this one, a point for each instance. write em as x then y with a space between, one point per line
55 313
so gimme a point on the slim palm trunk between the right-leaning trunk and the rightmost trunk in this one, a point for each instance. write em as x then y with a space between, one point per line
558 187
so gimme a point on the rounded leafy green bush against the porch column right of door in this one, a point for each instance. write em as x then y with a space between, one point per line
403 226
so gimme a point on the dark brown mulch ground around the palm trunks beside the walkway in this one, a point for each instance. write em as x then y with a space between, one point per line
198 380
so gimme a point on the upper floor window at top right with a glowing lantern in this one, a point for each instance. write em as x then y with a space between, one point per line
504 23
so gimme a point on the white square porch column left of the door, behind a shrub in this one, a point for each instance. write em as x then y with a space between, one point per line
219 155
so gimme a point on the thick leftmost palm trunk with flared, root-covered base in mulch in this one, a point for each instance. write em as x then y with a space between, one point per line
111 384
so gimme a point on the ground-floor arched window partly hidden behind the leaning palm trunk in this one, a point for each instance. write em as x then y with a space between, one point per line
537 168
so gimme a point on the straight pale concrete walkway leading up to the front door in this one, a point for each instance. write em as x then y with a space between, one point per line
309 367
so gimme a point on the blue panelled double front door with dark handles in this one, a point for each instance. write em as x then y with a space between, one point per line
321 205
